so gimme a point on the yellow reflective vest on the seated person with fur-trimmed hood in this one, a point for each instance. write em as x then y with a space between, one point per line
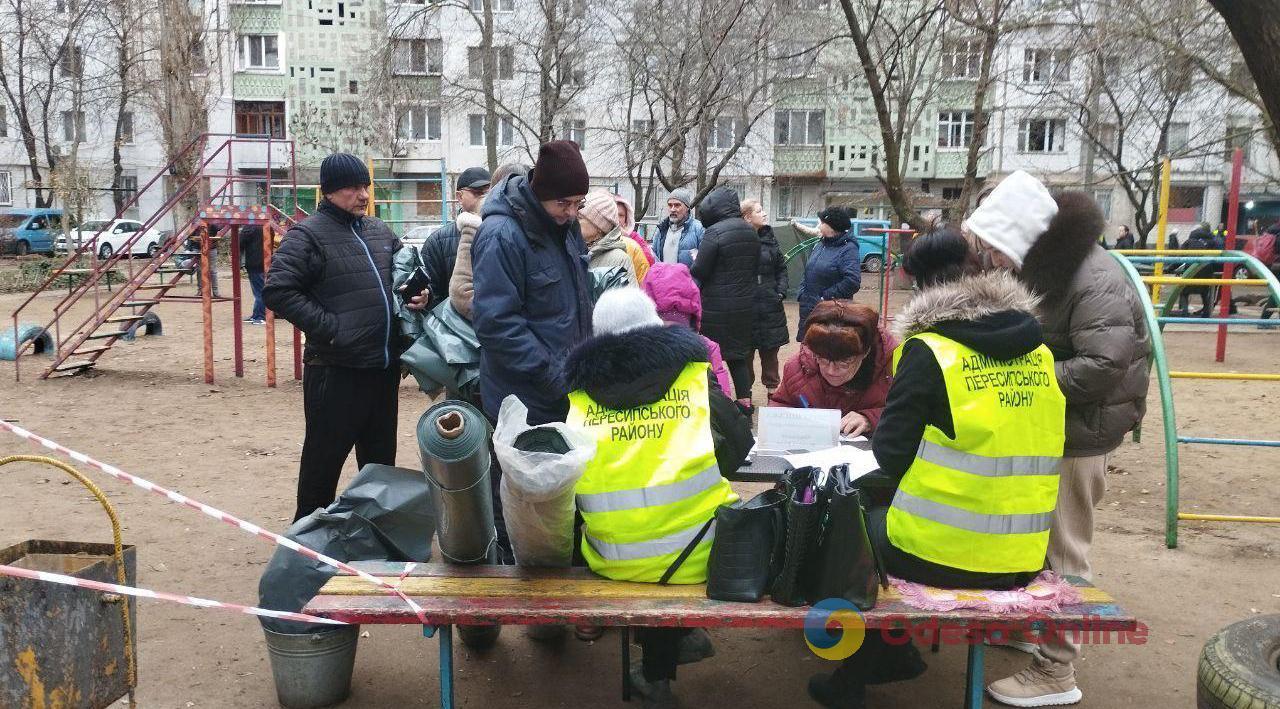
984 501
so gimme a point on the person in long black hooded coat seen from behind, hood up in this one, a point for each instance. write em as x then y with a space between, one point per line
725 268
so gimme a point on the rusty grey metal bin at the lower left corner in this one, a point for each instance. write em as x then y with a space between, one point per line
62 646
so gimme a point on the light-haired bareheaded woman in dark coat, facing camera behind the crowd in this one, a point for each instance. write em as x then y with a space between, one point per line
770 328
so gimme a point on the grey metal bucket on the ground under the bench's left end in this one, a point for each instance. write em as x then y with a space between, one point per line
313 670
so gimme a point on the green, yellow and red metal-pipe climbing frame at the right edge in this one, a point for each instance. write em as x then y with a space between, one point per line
1196 263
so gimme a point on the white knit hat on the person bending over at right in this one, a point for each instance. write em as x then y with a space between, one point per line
1014 216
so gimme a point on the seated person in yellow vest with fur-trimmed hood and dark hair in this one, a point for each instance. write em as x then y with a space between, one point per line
972 436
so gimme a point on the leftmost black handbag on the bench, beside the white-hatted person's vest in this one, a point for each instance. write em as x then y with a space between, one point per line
743 552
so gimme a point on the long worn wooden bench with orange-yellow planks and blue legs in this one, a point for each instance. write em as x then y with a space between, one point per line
465 596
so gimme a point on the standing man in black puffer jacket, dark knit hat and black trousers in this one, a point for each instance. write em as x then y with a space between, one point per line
332 277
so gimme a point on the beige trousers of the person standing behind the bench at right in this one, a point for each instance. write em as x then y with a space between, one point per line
1082 483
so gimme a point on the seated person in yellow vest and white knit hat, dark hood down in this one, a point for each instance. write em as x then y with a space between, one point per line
665 433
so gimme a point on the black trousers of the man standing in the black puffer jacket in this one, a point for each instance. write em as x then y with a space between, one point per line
346 409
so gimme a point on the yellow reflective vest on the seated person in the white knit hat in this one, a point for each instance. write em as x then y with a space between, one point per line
653 483
